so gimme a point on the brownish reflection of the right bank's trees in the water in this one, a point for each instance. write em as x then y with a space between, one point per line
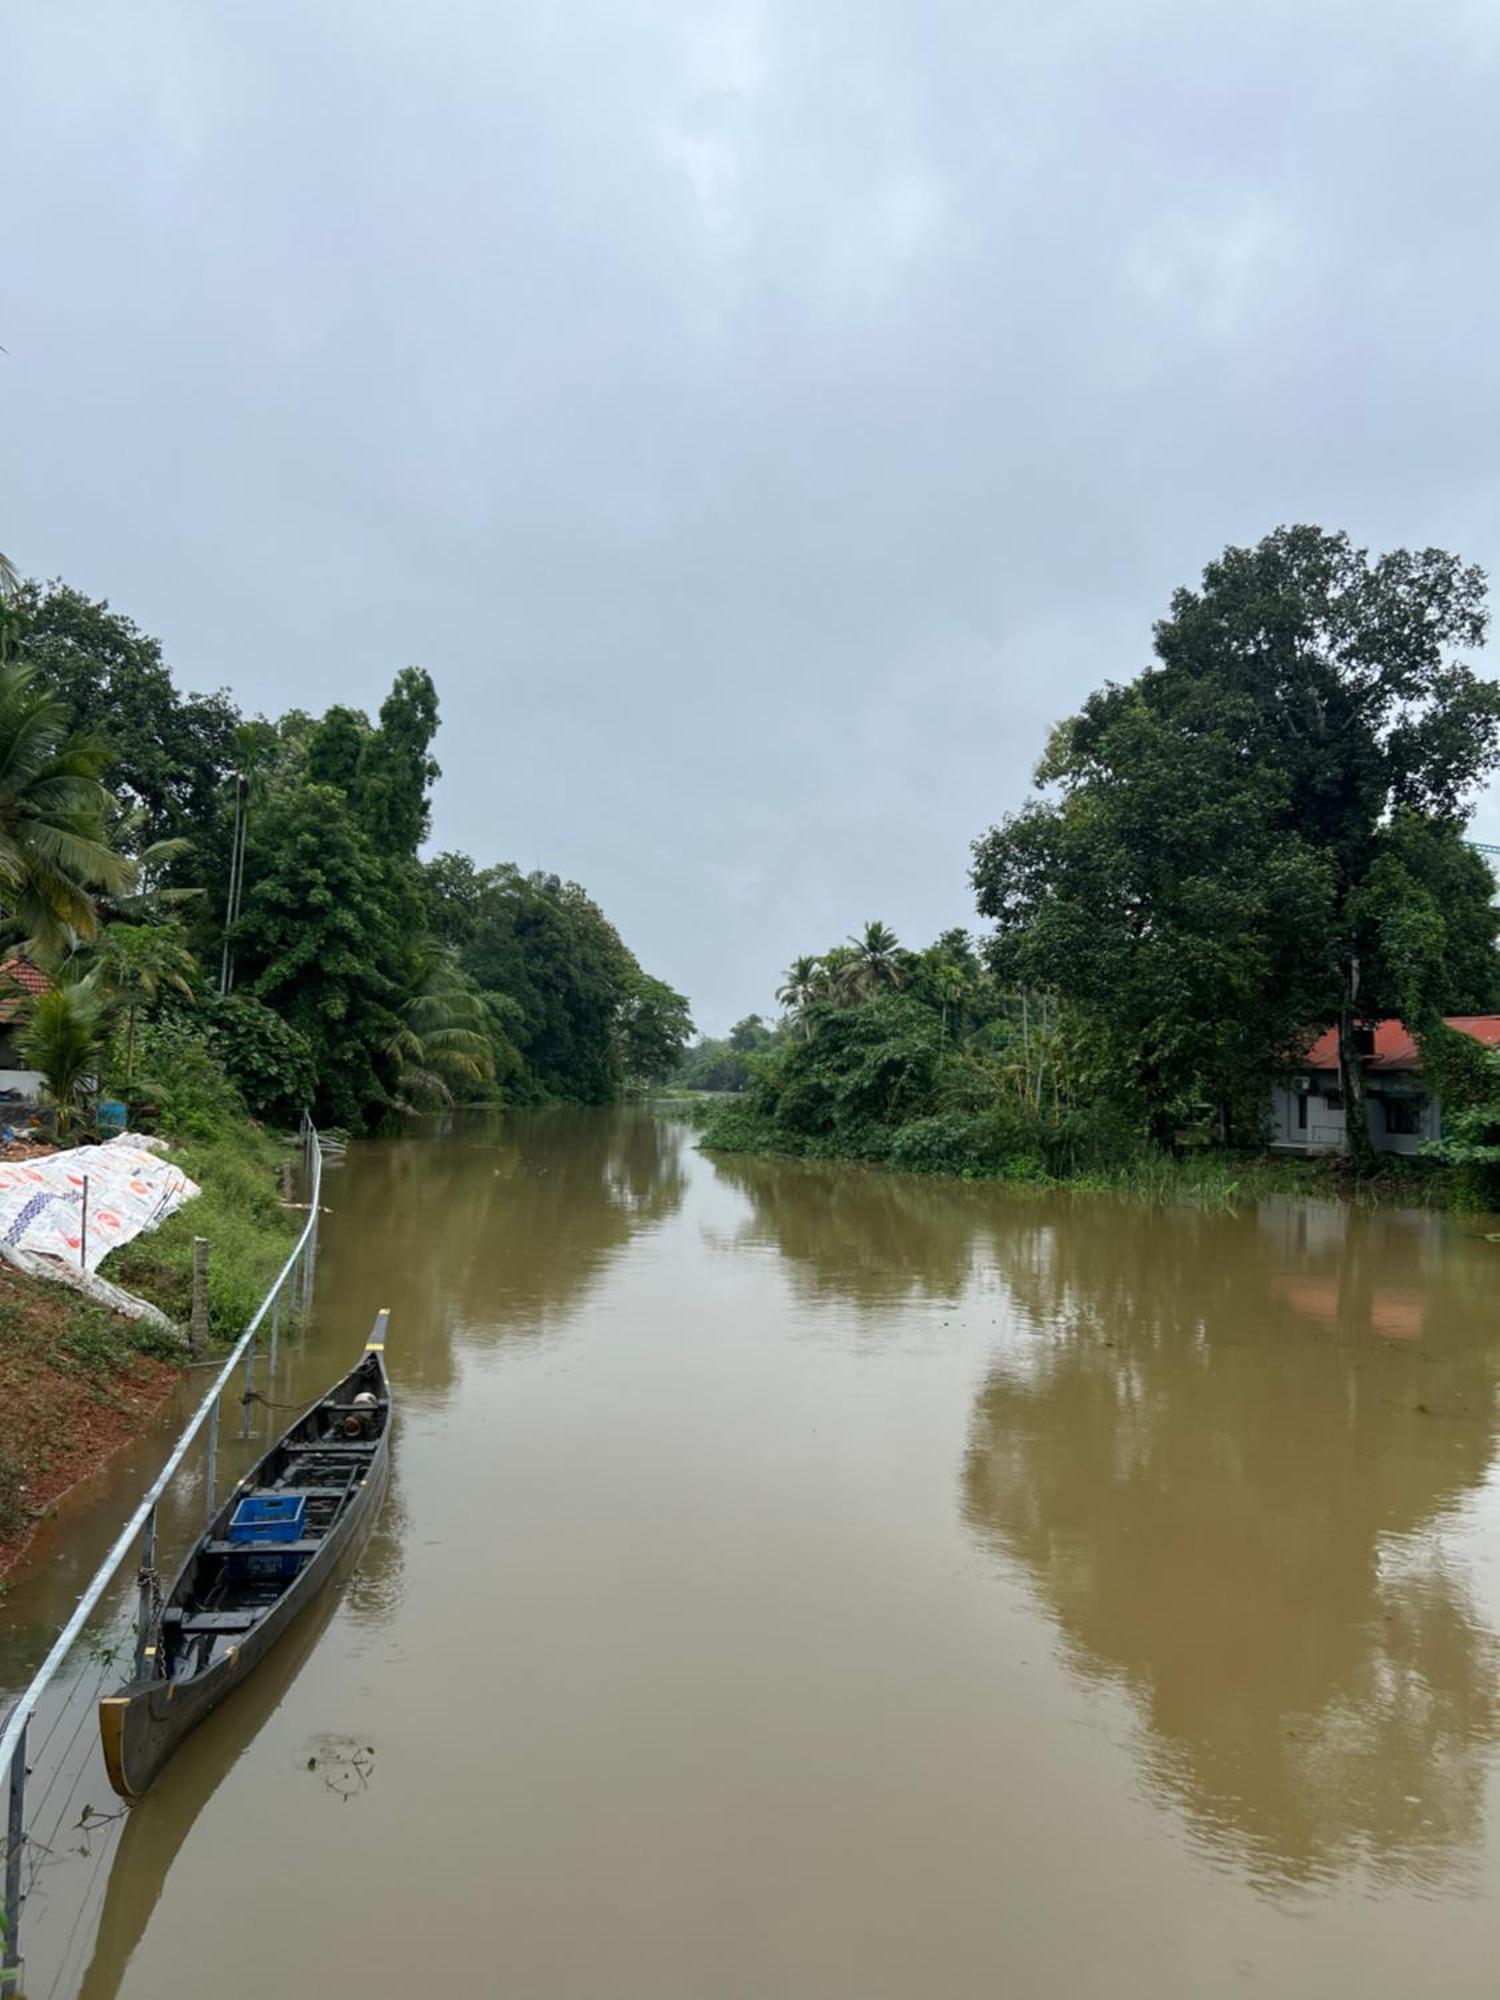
1241 1463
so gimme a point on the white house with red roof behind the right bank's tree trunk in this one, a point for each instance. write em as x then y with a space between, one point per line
1307 1113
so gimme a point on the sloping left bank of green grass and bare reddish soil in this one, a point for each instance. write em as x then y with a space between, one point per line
79 1381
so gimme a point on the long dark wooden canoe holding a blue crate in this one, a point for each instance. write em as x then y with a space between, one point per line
243 1587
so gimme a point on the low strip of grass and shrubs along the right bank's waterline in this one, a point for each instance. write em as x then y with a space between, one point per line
1201 1175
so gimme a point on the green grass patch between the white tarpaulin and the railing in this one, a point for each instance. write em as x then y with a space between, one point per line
239 1211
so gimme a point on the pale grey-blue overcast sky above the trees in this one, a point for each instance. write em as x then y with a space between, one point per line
761 419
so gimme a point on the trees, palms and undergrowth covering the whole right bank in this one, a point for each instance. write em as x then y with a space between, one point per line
1255 839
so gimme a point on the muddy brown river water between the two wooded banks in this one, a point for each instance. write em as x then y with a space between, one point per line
819 1585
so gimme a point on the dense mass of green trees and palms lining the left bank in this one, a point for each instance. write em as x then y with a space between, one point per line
317 961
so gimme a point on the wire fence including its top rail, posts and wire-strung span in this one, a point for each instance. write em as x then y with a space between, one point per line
57 1841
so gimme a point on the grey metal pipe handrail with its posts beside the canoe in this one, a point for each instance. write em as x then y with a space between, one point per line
293 1295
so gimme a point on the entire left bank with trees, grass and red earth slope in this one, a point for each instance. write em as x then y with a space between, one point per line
217 923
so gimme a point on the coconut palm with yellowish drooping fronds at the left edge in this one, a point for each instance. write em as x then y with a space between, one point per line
53 807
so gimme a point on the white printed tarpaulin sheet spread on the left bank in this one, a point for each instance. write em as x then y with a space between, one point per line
45 1217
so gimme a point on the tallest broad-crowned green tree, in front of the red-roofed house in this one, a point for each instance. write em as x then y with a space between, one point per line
1223 863
